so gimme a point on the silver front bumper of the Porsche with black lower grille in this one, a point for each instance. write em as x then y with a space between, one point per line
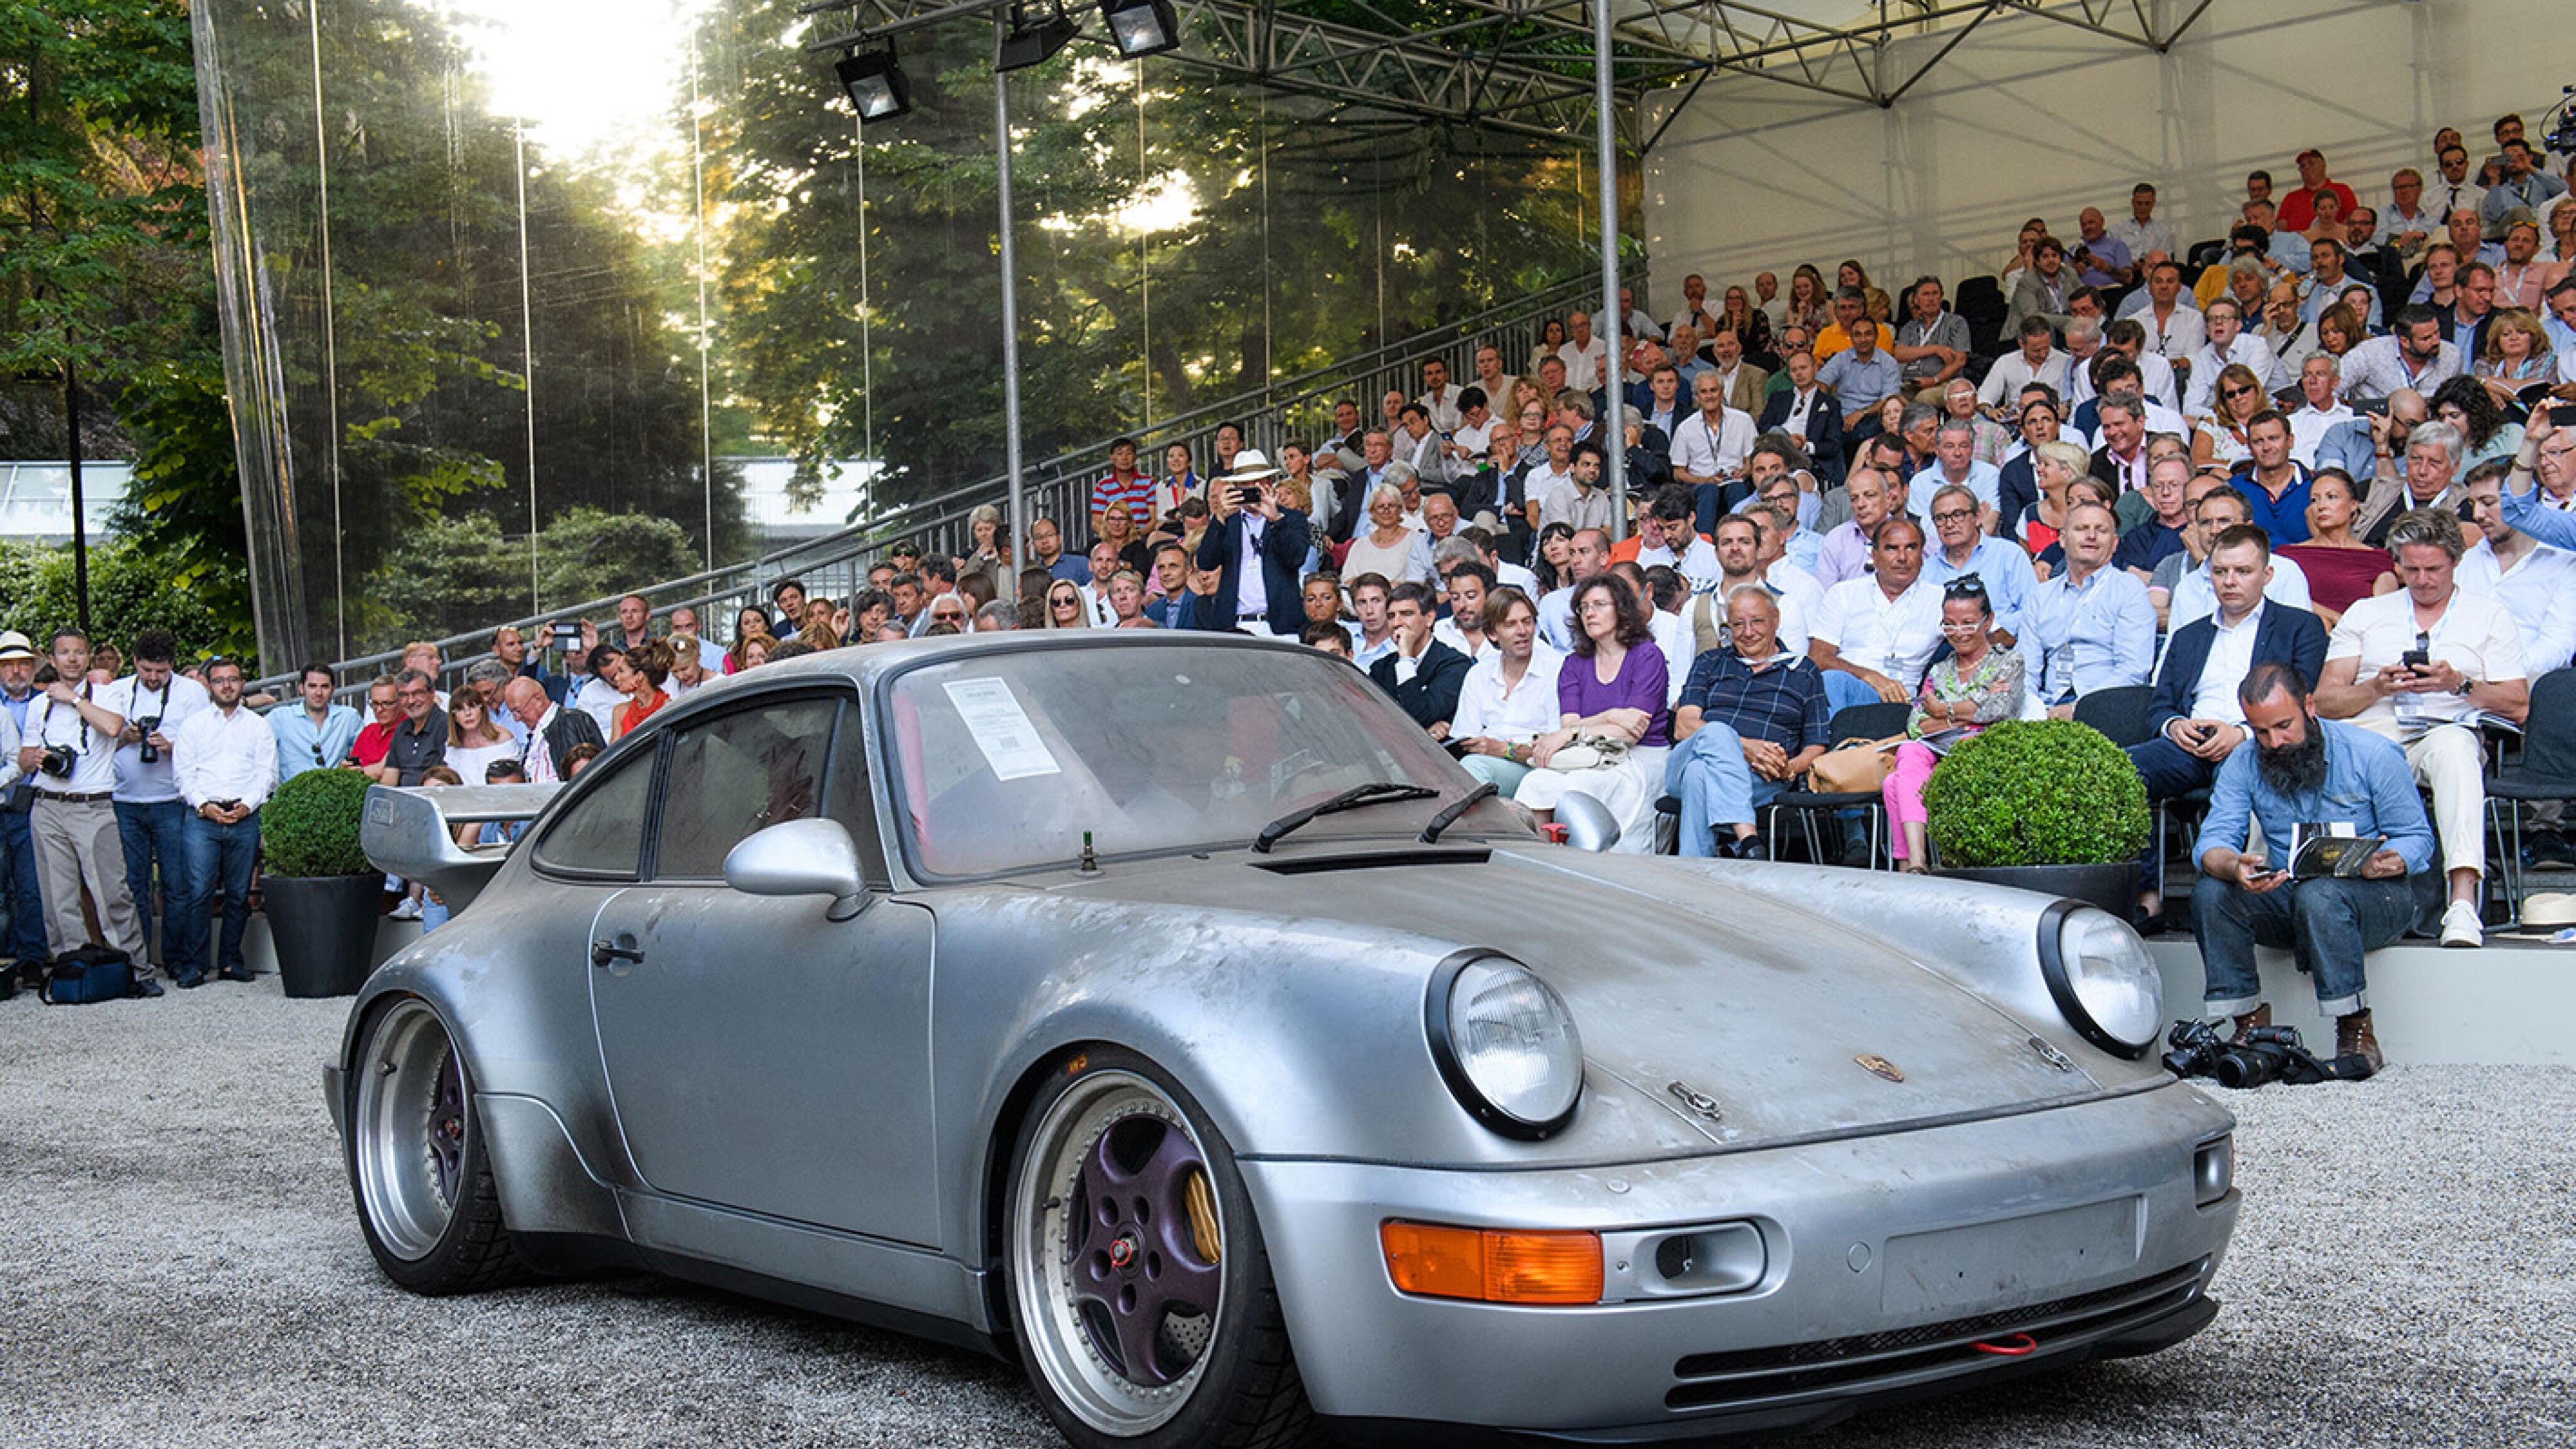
1889 1259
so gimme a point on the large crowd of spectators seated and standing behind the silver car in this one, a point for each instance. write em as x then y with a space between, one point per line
2322 442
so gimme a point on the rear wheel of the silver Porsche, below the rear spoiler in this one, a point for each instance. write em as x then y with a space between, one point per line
419 1167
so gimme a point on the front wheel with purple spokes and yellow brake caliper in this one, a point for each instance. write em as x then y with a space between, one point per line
1130 1334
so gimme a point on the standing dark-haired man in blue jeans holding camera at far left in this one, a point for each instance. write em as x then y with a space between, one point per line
151 819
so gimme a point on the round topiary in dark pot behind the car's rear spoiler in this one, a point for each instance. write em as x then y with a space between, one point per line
318 886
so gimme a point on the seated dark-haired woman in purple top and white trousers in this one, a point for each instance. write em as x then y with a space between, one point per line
1611 690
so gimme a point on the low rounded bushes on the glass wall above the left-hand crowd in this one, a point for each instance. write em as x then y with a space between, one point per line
460 574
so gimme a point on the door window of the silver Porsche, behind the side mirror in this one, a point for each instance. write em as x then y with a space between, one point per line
738 775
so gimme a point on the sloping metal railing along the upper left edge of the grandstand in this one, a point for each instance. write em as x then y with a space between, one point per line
836 566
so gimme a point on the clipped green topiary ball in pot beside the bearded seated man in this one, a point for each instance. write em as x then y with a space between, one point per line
2044 806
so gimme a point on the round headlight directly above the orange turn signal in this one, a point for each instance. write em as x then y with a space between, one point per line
1506 1045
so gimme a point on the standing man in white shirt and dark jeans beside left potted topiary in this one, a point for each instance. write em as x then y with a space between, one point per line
228 764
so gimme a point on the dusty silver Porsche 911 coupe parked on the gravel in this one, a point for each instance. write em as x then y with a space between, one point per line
1173 1015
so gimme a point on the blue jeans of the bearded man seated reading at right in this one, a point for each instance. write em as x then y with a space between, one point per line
2327 924
